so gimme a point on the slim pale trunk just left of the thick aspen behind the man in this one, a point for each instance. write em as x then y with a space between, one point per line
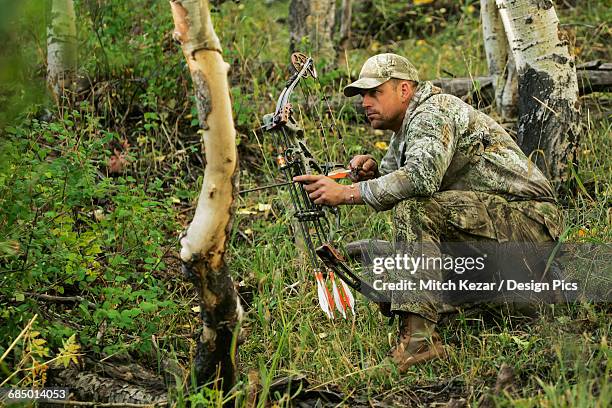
499 60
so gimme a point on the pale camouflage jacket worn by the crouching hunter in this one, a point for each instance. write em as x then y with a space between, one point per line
445 144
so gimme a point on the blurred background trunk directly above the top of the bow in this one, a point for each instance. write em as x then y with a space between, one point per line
311 23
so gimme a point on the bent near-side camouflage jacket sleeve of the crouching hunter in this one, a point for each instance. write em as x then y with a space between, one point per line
430 139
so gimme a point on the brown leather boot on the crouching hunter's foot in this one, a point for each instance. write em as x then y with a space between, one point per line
418 342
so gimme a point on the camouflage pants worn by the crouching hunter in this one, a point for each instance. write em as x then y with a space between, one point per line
466 216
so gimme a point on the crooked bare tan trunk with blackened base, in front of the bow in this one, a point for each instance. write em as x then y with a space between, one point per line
204 243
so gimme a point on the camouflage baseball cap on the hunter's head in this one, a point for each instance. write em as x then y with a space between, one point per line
379 69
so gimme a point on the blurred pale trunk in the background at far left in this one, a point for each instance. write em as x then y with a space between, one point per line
61 47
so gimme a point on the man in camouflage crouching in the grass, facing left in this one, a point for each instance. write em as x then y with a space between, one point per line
451 174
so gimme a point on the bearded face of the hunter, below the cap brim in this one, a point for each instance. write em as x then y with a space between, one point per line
386 104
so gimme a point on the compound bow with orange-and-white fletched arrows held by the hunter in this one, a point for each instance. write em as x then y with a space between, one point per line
295 159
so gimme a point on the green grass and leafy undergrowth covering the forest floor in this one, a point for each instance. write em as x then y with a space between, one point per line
94 195
